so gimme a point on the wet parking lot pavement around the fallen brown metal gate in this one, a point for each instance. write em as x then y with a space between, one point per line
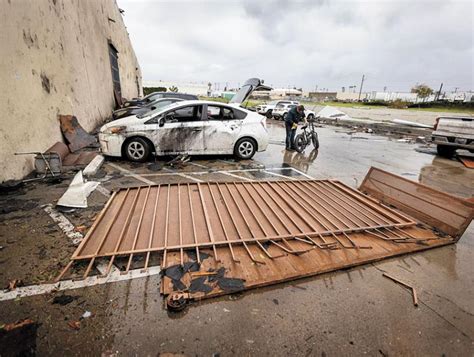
351 312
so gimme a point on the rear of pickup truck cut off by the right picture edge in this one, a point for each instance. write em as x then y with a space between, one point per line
452 133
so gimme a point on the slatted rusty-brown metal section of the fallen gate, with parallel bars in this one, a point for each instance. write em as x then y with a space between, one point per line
193 216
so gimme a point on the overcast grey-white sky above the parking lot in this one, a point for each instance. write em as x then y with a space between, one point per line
305 43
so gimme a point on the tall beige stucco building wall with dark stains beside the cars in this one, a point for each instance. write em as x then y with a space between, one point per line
54 60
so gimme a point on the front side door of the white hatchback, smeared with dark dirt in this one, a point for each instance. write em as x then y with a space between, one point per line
179 131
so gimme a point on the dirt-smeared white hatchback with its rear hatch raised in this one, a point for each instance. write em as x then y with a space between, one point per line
192 127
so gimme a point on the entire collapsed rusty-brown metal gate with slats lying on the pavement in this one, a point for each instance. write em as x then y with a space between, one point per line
242 235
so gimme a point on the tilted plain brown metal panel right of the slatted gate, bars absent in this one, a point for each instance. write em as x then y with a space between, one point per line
445 212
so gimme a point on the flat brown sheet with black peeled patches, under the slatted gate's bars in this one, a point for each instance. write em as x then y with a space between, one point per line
287 266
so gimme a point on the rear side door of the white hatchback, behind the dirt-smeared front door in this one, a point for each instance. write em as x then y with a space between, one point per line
222 125
